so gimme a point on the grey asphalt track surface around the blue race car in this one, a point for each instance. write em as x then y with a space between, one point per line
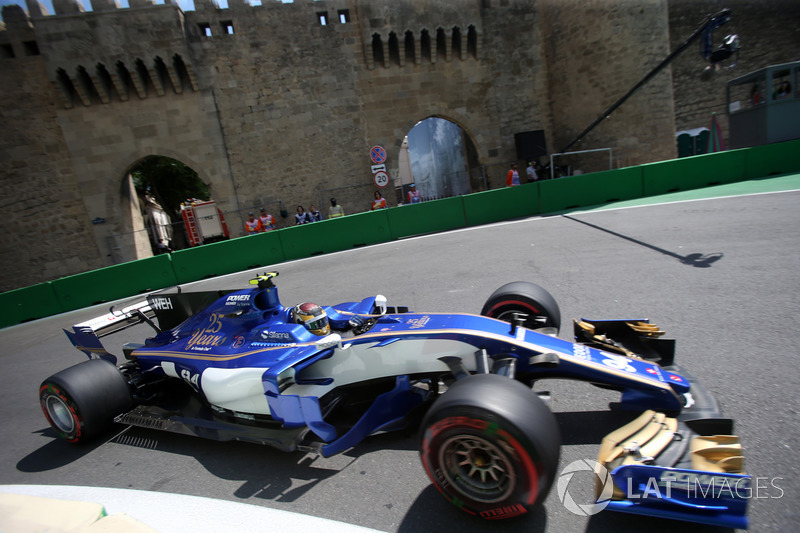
721 275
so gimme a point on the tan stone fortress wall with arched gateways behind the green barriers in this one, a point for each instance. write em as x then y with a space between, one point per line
271 107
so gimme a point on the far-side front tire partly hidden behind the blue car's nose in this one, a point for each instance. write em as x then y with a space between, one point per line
526 298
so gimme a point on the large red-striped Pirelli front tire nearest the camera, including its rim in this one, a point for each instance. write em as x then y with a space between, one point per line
490 446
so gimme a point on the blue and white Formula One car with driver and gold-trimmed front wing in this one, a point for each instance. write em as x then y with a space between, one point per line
238 365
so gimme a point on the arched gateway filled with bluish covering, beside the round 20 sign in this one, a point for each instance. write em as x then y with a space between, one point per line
440 159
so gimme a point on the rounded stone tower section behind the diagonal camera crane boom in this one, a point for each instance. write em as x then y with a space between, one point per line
596 51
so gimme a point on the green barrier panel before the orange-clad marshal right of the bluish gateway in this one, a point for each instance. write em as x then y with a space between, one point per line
501 204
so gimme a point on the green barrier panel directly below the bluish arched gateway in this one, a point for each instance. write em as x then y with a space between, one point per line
428 217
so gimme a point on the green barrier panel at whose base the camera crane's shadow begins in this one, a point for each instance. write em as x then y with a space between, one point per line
590 189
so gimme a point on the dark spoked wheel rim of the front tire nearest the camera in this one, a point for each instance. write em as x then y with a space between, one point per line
477 468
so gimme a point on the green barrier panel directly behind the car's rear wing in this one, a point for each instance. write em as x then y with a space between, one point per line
114 282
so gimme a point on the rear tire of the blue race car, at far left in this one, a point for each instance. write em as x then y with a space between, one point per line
81 402
